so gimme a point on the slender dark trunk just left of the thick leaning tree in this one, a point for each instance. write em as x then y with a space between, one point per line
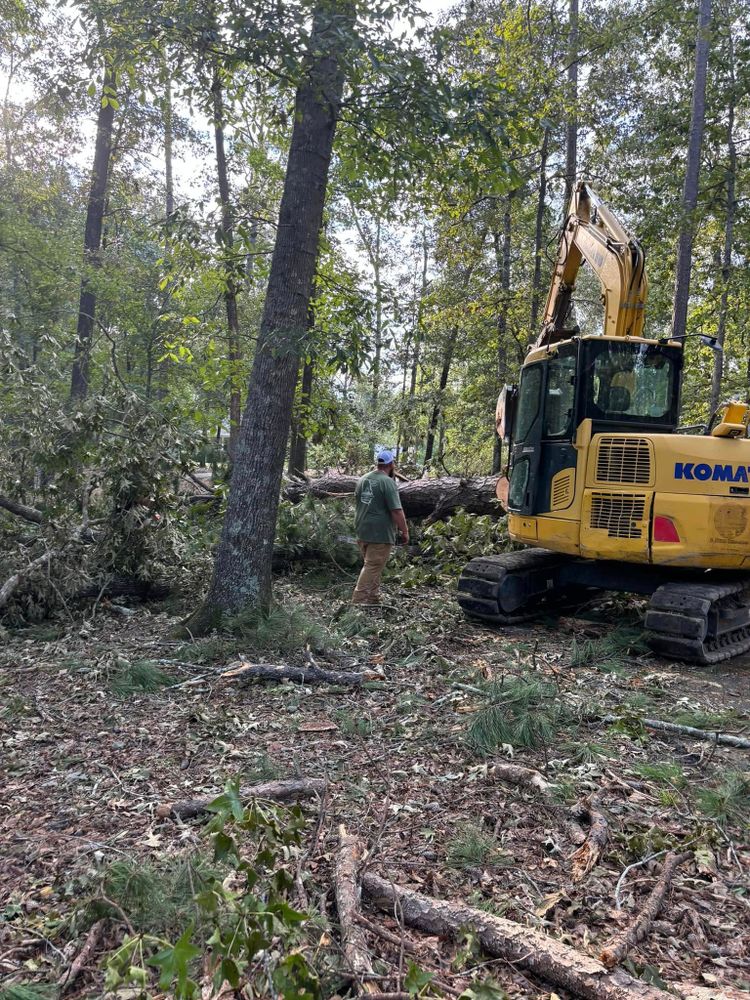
226 236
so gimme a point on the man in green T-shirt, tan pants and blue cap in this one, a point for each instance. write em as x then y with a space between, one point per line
379 515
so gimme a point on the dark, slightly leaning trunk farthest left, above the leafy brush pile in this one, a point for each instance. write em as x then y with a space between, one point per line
92 240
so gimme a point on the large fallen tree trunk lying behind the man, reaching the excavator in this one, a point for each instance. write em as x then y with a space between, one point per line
434 498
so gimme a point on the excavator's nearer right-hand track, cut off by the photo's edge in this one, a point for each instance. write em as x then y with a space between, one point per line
700 622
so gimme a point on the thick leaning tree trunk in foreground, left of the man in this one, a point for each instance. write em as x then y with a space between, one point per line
242 571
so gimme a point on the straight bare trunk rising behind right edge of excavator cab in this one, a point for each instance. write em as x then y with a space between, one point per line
690 189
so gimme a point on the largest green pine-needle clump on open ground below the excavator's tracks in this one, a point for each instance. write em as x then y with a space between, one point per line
519 712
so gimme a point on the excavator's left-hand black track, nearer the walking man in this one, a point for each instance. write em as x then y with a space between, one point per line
513 587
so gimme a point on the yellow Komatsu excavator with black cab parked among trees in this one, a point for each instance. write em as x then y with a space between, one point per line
602 483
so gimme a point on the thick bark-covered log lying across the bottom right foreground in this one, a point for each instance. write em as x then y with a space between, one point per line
525 947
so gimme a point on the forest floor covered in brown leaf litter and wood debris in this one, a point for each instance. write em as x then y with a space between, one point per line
87 757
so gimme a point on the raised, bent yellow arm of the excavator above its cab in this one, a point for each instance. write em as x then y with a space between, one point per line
591 233
